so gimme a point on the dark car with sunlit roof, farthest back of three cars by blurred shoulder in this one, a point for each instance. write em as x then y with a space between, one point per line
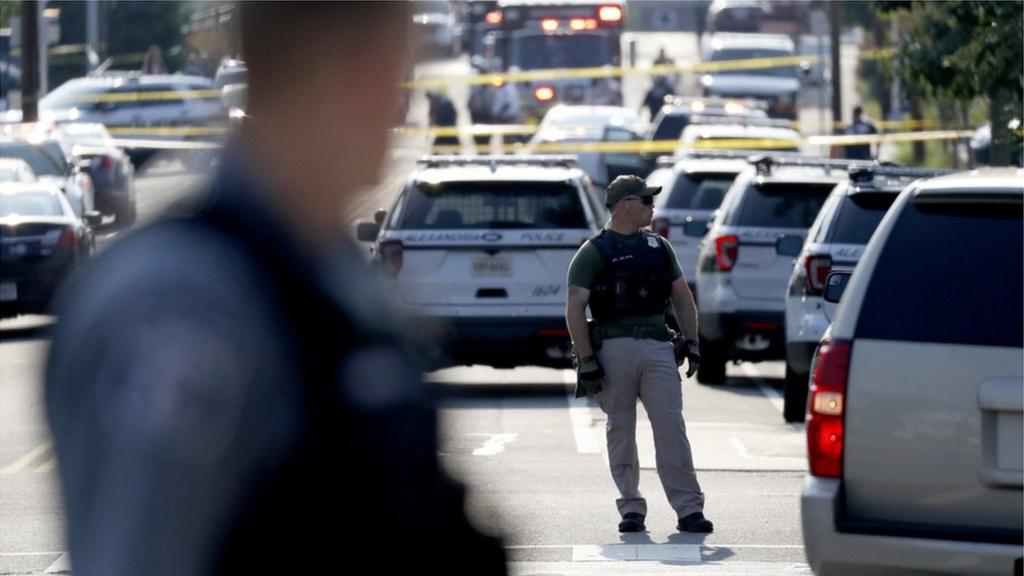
111 170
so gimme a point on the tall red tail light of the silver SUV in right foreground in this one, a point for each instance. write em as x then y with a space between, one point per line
827 408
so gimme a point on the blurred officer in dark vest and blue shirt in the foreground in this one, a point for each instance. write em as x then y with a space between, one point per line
227 393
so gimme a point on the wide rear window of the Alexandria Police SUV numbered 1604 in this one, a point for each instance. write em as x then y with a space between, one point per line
493 205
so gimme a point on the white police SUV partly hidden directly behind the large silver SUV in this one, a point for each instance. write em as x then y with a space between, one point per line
835 242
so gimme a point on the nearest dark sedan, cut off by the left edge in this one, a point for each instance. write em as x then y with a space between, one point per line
41 243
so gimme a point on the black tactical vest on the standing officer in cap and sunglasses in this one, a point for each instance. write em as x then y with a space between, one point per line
636 279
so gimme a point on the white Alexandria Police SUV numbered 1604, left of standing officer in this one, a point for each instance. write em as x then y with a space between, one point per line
478 250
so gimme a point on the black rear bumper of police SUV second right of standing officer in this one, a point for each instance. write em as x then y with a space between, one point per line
751 336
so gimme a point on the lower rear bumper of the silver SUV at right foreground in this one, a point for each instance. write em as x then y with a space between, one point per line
831 552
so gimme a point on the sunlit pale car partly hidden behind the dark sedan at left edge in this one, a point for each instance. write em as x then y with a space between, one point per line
52 160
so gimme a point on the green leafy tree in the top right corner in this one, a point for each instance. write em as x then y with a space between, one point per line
966 50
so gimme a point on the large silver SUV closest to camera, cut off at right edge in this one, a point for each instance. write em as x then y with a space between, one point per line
915 419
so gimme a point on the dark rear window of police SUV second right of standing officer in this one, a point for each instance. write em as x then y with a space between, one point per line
782 204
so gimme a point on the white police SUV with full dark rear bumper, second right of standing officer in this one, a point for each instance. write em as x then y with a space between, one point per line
742 276
